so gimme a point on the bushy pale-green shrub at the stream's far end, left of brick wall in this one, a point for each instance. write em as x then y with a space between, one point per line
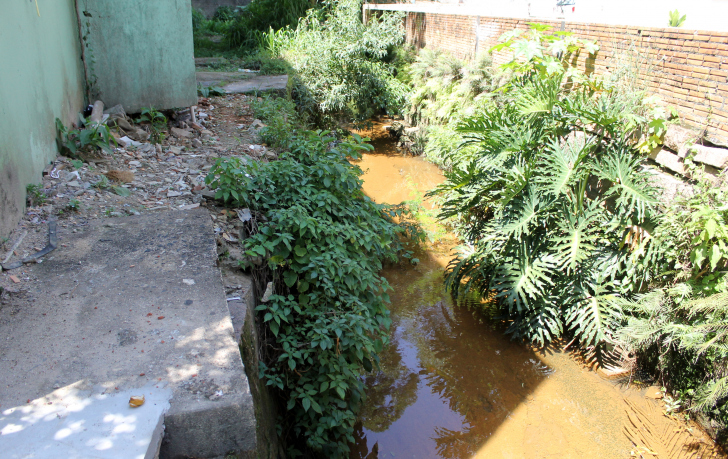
339 62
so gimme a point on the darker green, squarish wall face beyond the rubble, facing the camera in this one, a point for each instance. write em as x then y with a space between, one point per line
140 52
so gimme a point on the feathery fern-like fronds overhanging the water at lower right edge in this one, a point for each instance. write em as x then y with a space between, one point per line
683 335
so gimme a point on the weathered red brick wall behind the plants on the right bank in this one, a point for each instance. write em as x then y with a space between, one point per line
687 69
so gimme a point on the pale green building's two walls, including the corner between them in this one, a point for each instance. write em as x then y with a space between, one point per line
57 55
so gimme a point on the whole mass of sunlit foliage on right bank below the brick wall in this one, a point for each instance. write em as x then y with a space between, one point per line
561 222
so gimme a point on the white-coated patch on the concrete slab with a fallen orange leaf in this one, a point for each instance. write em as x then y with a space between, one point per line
73 423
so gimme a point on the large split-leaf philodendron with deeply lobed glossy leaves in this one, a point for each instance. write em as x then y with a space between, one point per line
553 198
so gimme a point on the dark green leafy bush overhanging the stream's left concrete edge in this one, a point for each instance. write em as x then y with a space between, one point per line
324 242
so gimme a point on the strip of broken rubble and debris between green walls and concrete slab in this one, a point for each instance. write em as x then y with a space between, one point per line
139 176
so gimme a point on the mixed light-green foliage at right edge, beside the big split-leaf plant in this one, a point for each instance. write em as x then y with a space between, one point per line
680 328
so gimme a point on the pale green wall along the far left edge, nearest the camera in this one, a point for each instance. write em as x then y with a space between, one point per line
41 78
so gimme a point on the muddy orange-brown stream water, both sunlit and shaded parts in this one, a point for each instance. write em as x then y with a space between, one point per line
452 385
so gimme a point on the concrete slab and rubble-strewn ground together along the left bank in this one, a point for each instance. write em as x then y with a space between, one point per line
78 323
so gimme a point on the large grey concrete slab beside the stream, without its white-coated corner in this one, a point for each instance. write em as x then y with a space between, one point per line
123 304
